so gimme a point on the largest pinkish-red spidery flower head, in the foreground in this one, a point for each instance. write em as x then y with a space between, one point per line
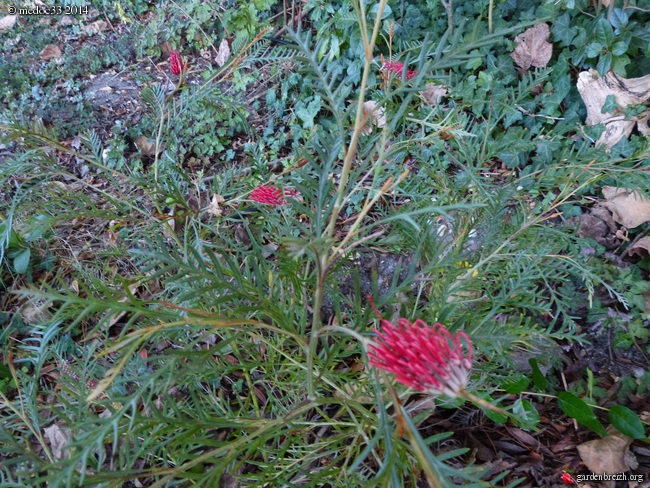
429 359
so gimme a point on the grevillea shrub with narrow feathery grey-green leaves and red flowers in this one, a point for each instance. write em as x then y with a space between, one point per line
212 344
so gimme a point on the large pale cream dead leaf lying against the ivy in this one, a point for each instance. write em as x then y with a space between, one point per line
594 91
